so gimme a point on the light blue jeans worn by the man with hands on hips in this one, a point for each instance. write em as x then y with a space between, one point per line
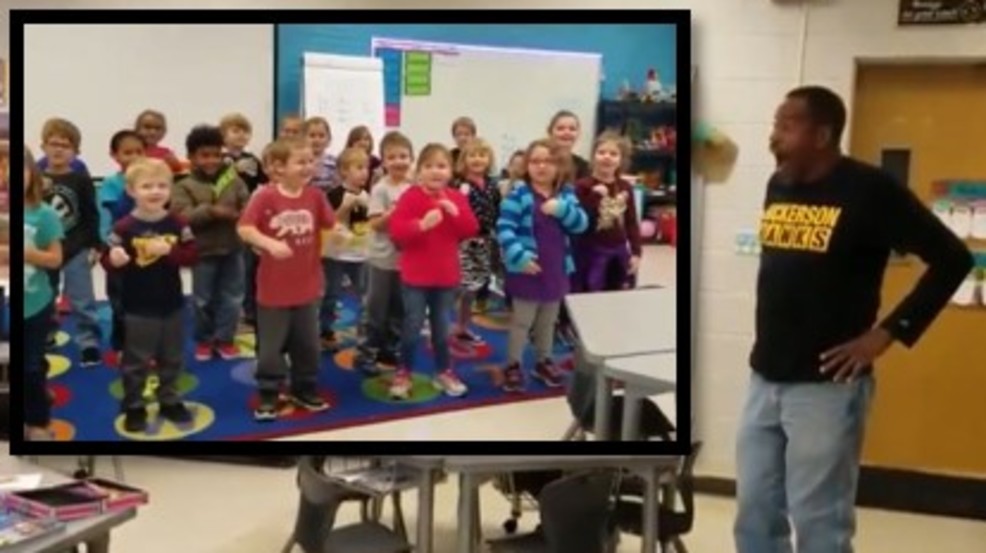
798 453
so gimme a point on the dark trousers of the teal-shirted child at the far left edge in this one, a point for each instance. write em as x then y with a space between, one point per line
37 410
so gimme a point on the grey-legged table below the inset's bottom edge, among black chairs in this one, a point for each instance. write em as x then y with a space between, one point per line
474 470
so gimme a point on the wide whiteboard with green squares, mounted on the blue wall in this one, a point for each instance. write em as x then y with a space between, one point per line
510 93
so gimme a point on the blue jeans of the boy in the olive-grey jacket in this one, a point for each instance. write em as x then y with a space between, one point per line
217 285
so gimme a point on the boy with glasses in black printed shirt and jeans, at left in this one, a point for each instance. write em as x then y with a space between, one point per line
73 197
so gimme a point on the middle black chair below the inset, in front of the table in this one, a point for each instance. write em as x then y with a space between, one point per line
576 517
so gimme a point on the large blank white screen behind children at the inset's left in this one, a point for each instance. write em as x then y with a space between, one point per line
101 76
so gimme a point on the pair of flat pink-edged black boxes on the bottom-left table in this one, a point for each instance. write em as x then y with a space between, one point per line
76 500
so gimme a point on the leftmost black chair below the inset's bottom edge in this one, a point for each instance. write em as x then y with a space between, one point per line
319 502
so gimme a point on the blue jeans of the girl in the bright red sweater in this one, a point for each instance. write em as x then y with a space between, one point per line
438 302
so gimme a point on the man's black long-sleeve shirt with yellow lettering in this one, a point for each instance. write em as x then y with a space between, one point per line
825 247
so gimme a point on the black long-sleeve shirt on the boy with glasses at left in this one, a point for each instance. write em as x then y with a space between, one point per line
74 198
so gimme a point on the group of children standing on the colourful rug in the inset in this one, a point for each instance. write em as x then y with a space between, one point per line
273 241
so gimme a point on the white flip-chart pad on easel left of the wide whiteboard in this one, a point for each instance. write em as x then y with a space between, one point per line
347 91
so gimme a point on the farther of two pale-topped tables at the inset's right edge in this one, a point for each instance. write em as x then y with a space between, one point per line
624 323
